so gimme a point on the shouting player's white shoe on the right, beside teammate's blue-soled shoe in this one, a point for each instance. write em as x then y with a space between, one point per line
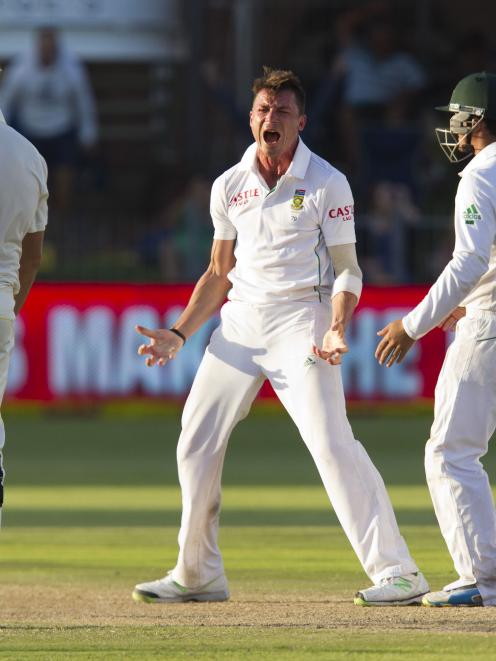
394 591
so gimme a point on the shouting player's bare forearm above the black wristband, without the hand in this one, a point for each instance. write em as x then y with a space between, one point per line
208 295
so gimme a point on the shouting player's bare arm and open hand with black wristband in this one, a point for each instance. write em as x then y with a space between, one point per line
208 295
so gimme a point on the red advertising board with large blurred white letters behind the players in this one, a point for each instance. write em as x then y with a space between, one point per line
77 341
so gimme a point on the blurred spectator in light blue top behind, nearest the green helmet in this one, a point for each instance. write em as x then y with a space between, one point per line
379 85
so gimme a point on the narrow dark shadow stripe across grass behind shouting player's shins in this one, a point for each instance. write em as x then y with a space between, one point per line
231 517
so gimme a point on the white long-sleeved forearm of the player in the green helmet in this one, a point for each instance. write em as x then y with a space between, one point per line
456 281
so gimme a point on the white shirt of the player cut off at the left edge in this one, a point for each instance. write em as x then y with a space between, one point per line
23 195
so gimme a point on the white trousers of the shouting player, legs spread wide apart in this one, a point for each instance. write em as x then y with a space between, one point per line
274 341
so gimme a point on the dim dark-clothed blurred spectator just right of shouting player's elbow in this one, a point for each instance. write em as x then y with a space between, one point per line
385 232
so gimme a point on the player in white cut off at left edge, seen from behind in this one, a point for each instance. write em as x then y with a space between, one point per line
23 218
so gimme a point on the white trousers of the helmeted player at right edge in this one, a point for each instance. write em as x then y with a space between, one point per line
464 421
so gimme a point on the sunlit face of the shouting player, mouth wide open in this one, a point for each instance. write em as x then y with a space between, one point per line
275 121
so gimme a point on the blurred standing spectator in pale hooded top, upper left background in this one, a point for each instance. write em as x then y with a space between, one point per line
46 96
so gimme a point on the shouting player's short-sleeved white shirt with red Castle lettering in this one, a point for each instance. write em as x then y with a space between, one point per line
282 235
